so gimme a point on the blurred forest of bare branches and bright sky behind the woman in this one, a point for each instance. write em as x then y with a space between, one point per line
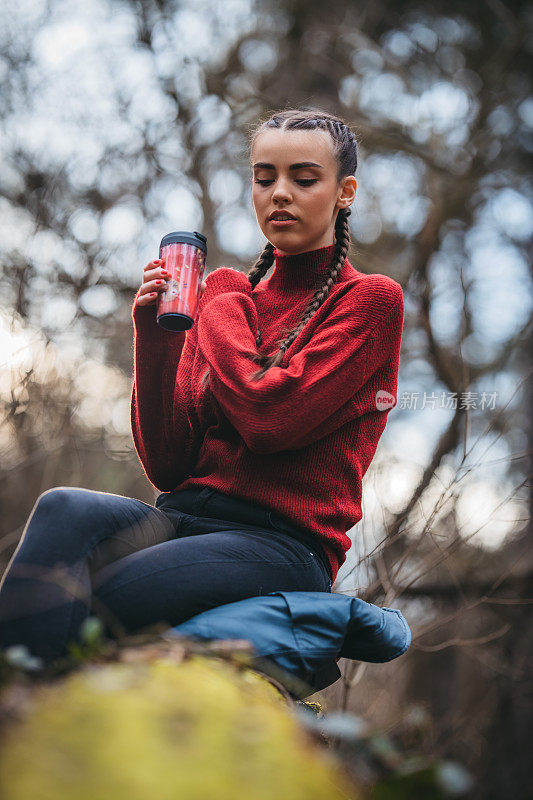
122 121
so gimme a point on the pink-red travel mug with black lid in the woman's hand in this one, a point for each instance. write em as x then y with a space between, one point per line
185 255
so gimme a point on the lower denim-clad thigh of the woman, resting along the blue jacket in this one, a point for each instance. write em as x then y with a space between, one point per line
175 580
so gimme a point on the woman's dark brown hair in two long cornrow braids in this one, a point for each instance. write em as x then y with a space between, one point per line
345 152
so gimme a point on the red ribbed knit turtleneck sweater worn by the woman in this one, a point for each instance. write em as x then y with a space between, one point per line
298 441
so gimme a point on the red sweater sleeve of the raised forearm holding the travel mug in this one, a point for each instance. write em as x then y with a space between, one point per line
162 434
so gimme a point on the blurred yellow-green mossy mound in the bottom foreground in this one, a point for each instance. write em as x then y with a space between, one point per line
197 729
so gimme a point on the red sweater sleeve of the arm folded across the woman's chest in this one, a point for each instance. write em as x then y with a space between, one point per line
283 409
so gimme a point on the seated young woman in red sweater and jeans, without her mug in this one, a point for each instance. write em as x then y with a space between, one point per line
256 425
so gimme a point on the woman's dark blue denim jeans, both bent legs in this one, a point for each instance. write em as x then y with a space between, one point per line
132 564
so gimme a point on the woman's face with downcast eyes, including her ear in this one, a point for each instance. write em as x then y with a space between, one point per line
295 171
